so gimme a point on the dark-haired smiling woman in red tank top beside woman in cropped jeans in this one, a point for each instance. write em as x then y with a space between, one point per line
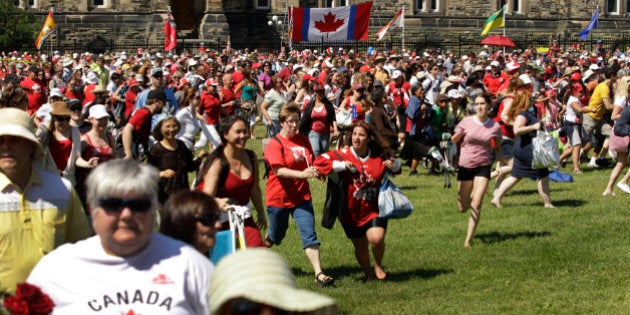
231 175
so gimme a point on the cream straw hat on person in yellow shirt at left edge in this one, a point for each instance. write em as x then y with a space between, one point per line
16 122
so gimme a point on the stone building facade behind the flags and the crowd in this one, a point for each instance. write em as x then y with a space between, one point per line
142 20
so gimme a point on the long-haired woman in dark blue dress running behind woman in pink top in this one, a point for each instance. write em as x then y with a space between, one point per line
526 124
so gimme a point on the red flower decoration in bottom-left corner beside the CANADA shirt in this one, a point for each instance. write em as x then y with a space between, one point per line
28 299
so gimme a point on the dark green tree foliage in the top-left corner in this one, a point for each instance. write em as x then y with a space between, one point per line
18 28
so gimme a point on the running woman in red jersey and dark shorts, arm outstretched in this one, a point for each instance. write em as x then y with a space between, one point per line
362 168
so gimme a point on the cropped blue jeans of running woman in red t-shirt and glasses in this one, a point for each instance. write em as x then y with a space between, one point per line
304 219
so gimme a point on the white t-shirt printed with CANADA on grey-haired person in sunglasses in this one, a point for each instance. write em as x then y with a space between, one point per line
168 277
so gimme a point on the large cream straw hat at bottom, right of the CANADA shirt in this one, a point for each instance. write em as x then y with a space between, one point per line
262 276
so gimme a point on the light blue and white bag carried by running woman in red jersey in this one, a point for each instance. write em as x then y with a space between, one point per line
392 203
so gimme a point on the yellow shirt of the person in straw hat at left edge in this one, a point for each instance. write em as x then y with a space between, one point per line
33 222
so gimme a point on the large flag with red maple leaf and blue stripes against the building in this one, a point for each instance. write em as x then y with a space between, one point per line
340 23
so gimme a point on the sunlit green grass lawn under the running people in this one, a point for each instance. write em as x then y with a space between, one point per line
525 258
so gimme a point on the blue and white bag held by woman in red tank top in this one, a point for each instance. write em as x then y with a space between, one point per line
229 240
